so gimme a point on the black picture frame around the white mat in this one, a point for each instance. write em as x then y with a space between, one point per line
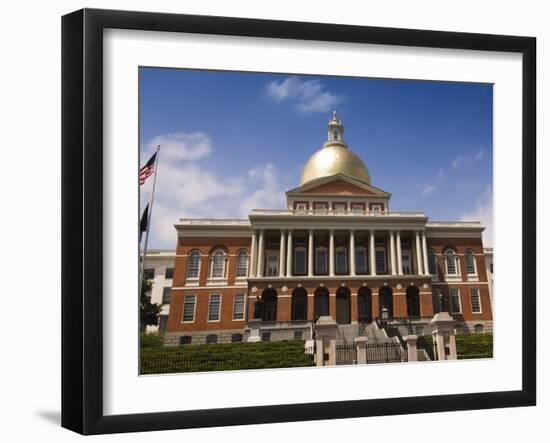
82 218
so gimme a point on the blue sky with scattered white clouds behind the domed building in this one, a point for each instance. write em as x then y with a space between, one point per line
233 141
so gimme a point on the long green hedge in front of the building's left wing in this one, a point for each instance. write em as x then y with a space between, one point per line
224 357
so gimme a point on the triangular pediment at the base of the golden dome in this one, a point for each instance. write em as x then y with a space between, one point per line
338 185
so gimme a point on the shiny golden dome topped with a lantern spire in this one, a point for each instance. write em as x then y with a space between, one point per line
334 158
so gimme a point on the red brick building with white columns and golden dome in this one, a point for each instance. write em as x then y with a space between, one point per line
338 250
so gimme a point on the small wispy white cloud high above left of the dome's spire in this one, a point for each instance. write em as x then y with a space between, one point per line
307 95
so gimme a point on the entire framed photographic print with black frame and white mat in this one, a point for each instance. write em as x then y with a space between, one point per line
269 221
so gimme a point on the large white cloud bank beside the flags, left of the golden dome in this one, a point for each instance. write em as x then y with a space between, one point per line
188 188
